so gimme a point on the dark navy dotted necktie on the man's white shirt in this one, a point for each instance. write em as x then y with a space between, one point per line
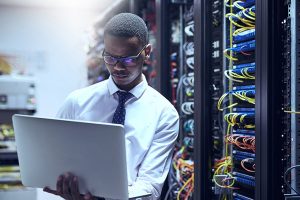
119 116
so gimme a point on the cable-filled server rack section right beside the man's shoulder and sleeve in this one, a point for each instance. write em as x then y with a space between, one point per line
175 61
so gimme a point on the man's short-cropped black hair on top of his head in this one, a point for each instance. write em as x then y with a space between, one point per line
127 25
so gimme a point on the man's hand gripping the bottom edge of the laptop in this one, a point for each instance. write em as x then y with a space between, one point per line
67 188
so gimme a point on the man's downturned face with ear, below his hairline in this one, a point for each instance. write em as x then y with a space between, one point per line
125 76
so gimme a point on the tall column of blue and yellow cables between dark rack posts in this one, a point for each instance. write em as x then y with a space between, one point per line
235 170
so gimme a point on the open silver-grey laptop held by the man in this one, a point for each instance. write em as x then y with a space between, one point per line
93 151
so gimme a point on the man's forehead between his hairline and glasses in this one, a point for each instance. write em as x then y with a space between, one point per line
121 46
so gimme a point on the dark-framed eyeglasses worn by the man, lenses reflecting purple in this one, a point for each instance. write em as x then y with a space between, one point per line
126 61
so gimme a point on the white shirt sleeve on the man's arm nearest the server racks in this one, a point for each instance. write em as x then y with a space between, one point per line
156 164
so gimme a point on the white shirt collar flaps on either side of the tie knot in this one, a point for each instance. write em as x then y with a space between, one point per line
137 91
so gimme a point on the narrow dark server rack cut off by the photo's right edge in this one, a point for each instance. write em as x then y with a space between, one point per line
289 61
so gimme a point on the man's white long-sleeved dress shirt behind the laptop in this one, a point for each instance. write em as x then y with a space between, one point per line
151 128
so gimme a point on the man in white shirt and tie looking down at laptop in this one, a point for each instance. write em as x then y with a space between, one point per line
151 123
